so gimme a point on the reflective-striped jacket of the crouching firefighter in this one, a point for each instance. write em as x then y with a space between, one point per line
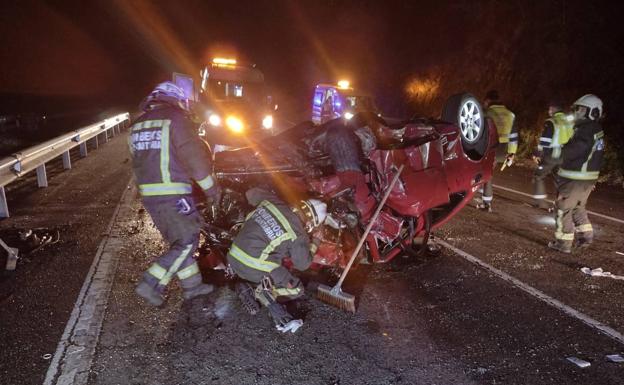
270 233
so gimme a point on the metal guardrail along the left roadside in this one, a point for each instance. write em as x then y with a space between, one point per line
35 157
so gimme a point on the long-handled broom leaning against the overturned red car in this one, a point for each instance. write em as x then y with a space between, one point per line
334 295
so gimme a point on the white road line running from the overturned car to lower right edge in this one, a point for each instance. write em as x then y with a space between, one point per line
595 324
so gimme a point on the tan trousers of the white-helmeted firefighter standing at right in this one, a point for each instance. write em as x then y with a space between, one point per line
571 214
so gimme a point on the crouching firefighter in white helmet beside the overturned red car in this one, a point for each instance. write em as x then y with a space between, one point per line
272 232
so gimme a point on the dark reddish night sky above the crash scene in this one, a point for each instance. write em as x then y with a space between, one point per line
114 51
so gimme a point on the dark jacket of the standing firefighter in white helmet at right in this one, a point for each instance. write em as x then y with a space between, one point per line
582 155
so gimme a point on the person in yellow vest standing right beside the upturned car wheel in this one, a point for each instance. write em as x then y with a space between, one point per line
504 120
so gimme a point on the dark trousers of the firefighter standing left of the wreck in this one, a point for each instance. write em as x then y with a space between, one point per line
181 232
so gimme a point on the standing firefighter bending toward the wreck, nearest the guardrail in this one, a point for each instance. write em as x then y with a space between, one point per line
168 158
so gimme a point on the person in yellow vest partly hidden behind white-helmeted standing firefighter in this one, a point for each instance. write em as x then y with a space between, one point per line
558 129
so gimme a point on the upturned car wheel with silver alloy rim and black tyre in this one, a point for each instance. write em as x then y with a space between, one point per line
464 110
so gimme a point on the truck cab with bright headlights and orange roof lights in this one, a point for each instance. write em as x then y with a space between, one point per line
236 103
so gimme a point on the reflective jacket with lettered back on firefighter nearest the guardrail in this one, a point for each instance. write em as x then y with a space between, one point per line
168 155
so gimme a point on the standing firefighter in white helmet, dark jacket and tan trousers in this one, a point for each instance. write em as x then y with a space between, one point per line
579 170
